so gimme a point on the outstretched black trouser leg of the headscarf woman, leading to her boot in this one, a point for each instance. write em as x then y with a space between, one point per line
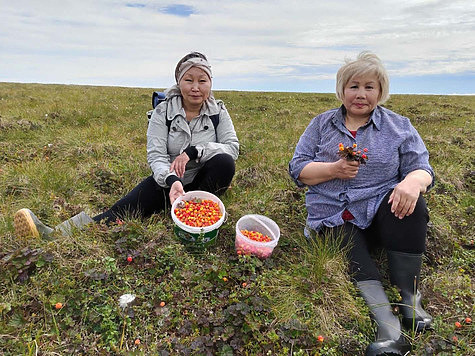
144 200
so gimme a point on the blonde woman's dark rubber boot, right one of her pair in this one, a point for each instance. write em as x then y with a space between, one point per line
404 271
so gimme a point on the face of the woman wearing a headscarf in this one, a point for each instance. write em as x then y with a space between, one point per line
195 87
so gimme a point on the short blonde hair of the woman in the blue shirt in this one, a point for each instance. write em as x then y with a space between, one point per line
366 63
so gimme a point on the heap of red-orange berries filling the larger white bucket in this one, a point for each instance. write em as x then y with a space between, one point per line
198 212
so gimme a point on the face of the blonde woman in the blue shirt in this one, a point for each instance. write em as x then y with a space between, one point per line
361 95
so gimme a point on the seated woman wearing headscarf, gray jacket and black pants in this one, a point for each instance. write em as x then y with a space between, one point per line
186 151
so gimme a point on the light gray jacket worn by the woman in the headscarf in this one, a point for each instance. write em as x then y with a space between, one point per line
164 145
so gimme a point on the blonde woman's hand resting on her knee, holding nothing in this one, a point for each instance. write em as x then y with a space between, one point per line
404 197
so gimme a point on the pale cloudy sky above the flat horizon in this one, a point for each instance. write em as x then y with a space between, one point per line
427 46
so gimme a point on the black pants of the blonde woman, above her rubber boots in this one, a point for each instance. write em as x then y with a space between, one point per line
386 231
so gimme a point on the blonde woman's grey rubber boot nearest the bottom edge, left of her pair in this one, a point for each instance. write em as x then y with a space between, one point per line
389 340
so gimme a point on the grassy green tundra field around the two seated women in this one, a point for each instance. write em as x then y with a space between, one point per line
64 149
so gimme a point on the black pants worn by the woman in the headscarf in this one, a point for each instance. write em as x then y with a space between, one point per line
148 197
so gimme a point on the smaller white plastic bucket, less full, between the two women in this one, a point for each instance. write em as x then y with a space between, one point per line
259 223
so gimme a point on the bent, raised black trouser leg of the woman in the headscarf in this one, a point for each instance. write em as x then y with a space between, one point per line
215 176
